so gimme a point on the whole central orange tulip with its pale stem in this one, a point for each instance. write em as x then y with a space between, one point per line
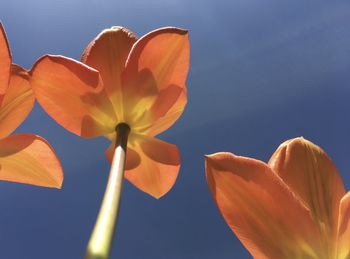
128 90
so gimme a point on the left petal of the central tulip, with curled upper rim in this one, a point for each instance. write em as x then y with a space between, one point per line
72 93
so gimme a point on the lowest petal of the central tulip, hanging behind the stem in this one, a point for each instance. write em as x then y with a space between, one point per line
152 165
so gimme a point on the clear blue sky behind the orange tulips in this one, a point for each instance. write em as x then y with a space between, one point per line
261 72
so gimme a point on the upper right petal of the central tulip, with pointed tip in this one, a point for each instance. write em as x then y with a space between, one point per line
158 61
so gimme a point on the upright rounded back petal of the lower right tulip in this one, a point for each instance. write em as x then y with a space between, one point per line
310 173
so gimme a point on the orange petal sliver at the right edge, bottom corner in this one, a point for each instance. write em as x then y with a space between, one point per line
344 228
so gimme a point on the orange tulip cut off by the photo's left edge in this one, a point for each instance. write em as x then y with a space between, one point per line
24 158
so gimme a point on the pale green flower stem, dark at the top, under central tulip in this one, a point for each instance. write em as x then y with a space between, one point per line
101 238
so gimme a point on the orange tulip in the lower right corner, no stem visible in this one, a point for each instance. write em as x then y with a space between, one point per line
293 207
